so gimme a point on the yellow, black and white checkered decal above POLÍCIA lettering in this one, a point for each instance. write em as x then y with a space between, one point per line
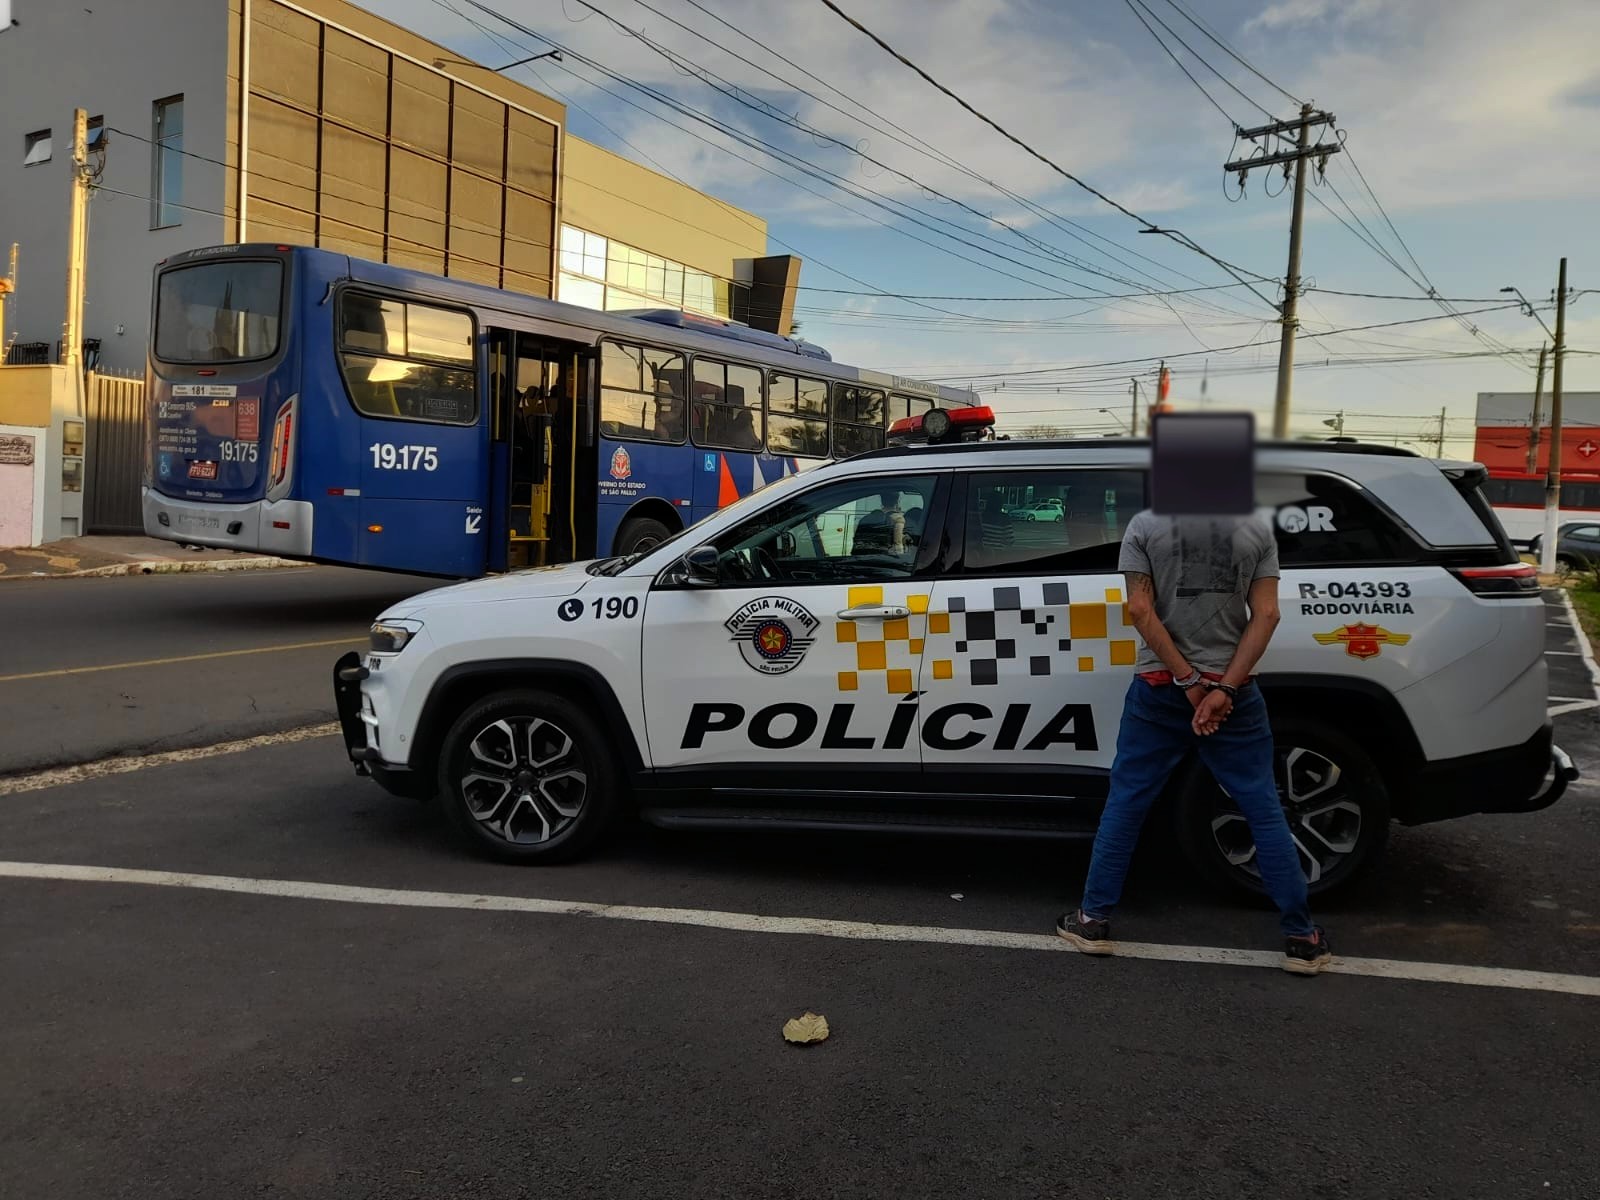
1041 622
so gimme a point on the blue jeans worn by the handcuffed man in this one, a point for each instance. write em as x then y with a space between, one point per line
1156 735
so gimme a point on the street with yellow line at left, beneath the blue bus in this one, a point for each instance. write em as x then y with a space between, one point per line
222 655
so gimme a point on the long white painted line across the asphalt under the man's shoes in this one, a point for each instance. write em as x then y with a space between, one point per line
815 927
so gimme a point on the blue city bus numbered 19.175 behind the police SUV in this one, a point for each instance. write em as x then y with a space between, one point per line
311 406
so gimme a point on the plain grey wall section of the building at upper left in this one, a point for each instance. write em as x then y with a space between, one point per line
113 62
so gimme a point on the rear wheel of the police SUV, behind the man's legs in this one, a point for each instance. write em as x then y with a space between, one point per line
1337 844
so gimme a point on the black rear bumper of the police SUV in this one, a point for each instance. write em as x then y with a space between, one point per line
1513 780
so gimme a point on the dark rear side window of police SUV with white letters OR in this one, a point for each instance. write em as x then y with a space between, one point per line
1326 521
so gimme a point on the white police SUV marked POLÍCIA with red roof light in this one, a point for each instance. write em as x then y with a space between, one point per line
898 642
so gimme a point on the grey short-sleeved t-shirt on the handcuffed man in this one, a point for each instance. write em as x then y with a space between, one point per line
1201 570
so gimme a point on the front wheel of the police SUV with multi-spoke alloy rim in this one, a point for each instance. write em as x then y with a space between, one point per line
527 777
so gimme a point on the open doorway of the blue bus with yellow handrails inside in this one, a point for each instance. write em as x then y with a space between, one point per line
537 412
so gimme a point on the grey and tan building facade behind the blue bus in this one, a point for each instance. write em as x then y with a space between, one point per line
314 122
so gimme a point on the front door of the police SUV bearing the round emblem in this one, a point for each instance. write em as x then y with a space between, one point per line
798 670
